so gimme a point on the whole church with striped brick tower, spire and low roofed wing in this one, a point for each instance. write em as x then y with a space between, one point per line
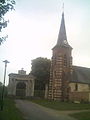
67 82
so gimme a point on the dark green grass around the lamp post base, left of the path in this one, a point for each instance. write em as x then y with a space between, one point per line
10 112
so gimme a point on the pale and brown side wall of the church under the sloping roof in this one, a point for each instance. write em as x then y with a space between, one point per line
81 93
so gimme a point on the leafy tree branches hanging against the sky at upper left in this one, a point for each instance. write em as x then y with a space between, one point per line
5 6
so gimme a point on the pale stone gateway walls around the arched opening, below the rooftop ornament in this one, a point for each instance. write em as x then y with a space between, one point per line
15 79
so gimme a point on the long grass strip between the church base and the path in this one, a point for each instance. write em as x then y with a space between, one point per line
57 105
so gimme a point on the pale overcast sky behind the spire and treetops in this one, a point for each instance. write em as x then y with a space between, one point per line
33 30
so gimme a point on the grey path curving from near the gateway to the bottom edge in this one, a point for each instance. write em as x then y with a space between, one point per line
32 111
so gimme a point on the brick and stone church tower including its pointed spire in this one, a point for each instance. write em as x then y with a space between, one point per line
61 66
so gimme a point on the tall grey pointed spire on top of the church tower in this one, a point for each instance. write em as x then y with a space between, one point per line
62 38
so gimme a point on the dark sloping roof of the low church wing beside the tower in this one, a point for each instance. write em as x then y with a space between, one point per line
80 75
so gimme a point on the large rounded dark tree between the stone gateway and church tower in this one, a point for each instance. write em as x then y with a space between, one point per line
41 71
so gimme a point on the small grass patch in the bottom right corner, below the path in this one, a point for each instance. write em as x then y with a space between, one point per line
81 115
